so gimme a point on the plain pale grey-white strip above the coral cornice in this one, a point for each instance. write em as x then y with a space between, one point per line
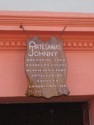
48 5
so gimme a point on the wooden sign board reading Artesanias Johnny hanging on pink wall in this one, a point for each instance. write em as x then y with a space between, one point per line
46 68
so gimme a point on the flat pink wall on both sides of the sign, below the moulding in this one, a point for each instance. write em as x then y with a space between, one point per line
13 81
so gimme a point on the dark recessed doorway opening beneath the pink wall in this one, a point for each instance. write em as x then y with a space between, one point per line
41 114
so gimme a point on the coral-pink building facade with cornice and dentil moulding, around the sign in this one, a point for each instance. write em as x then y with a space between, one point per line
78 42
